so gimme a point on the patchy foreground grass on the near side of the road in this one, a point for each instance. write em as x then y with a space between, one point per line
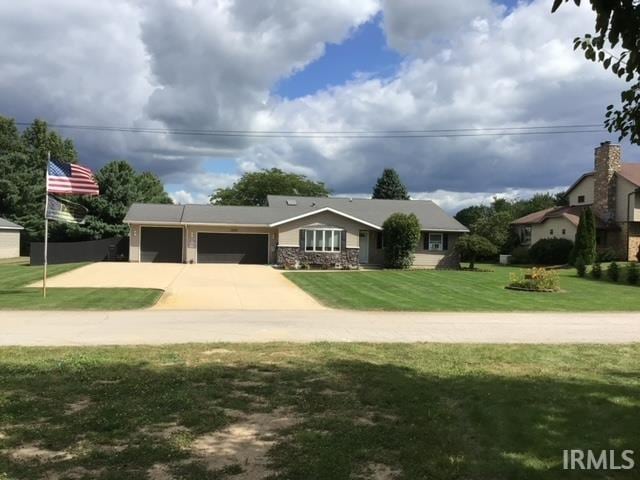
319 411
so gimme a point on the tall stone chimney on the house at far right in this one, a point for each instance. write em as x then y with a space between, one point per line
607 163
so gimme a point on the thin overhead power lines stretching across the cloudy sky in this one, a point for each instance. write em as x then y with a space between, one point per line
348 134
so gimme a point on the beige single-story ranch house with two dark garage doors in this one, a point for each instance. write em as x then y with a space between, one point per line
290 231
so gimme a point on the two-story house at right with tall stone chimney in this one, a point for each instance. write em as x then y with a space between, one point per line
610 191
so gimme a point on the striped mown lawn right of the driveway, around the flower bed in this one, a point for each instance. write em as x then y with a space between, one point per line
451 290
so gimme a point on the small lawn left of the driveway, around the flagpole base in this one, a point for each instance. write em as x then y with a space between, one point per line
15 296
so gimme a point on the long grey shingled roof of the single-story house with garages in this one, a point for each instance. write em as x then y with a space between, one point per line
282 209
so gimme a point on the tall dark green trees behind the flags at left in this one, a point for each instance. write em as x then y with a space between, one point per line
23 163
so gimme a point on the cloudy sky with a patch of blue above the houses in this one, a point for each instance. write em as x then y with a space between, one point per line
309 66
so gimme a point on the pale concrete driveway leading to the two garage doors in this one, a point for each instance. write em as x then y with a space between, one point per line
196 287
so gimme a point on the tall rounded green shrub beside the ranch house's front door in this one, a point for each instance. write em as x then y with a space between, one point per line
401 235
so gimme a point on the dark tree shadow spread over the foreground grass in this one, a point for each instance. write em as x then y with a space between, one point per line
350 414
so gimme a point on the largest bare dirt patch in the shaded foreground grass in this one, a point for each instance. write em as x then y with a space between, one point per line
245 443
